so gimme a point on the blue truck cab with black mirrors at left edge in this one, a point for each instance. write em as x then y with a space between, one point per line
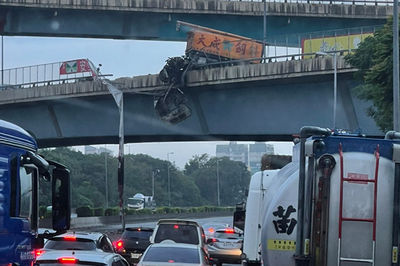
20 170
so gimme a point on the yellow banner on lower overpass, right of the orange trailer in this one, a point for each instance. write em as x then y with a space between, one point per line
337 43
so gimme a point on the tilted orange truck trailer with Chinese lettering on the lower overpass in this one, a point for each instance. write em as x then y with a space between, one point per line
206 45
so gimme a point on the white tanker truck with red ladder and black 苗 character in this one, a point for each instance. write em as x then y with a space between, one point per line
336 203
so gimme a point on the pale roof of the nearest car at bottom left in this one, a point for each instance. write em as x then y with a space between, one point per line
82 255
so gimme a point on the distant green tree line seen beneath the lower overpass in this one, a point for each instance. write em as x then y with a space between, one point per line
195 186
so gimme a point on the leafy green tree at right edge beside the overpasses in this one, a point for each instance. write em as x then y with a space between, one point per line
373 59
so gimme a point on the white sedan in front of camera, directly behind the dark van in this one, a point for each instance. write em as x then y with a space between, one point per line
170 253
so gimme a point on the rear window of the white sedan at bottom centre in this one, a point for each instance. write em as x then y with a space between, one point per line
172 254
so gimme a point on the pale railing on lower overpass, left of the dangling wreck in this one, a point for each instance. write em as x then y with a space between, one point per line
39 75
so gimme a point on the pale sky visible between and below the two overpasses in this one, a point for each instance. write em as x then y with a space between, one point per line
122 58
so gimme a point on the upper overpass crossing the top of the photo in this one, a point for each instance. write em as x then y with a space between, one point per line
287 22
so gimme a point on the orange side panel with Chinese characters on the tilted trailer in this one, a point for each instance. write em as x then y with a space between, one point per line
223 45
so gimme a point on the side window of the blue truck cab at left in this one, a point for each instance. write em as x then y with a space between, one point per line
25 207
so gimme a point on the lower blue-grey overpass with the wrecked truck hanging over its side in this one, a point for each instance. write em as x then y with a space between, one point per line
244 102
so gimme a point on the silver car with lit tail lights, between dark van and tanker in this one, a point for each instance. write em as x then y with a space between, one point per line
225 246
